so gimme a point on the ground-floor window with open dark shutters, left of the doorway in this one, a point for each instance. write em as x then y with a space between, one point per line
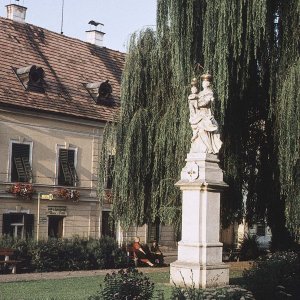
18 225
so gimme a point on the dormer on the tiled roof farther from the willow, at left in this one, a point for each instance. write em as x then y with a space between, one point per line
32 78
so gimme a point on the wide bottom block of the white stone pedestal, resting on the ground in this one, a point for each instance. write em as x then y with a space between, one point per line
201 276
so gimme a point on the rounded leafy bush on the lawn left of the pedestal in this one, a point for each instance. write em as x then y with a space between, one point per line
129 284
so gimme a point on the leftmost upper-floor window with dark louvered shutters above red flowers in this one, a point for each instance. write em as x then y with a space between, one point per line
20 163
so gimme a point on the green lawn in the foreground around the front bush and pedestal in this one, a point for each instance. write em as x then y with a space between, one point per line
76 288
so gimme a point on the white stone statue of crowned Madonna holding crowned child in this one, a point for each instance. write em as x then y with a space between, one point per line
206 138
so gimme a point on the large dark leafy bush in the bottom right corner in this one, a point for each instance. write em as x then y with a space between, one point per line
275 276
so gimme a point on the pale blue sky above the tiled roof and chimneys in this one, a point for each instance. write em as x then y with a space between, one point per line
121 18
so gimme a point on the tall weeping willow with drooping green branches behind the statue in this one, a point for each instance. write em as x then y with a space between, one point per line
252 50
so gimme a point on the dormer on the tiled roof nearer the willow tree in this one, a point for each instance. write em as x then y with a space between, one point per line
101 92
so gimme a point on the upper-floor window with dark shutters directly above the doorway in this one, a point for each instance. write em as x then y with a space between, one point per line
67 173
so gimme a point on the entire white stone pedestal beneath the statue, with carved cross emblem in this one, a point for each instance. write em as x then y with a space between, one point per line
200 252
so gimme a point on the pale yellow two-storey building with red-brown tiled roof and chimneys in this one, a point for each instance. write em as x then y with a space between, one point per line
56 94
